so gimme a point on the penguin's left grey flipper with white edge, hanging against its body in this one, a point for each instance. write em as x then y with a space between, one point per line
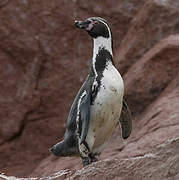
84 114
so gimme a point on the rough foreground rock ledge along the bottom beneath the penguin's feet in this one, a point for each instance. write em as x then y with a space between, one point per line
162 160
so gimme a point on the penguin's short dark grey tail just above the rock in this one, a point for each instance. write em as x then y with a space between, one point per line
63 150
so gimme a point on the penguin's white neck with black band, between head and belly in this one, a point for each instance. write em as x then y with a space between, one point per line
102 54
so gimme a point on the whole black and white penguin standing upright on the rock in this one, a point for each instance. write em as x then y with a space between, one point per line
99 105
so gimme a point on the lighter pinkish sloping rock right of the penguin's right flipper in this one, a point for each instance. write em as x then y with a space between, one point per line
157 123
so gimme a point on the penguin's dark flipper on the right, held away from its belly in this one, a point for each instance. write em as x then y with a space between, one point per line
125 120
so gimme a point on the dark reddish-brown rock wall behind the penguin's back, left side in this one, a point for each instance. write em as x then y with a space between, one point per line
41 55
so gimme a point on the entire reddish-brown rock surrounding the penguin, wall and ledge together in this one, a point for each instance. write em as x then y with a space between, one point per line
41 55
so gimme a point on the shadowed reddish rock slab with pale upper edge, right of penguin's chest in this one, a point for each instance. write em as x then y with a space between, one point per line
151 74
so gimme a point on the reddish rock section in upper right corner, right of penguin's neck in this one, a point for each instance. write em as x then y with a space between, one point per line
156 20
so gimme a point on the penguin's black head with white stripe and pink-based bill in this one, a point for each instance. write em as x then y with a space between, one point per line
95 26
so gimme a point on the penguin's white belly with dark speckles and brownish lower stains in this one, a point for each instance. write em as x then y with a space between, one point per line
106 110
